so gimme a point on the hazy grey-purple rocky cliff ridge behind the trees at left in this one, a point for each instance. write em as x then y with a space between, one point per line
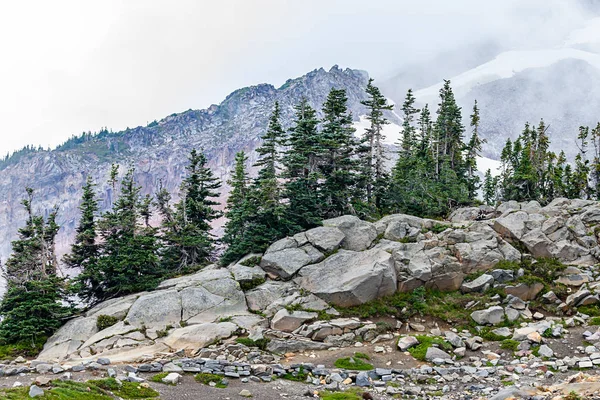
158 151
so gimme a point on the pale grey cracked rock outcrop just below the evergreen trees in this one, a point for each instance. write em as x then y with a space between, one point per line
282 293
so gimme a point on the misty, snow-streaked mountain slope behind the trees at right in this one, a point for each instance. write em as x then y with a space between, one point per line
512 87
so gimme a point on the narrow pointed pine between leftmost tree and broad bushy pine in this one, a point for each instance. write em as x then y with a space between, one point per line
84 251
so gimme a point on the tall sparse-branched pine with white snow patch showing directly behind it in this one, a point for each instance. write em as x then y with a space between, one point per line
374 177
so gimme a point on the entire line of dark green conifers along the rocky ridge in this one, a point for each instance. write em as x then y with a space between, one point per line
317 168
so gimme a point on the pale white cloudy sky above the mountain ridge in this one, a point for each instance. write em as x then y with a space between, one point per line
73 66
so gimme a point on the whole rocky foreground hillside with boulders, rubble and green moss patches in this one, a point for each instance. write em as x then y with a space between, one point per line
507 324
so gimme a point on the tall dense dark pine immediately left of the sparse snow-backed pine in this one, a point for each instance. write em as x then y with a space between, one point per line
338 163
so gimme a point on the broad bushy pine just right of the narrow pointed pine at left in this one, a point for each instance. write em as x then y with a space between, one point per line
128 260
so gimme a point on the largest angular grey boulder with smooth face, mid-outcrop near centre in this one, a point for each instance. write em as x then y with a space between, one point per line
350 278
